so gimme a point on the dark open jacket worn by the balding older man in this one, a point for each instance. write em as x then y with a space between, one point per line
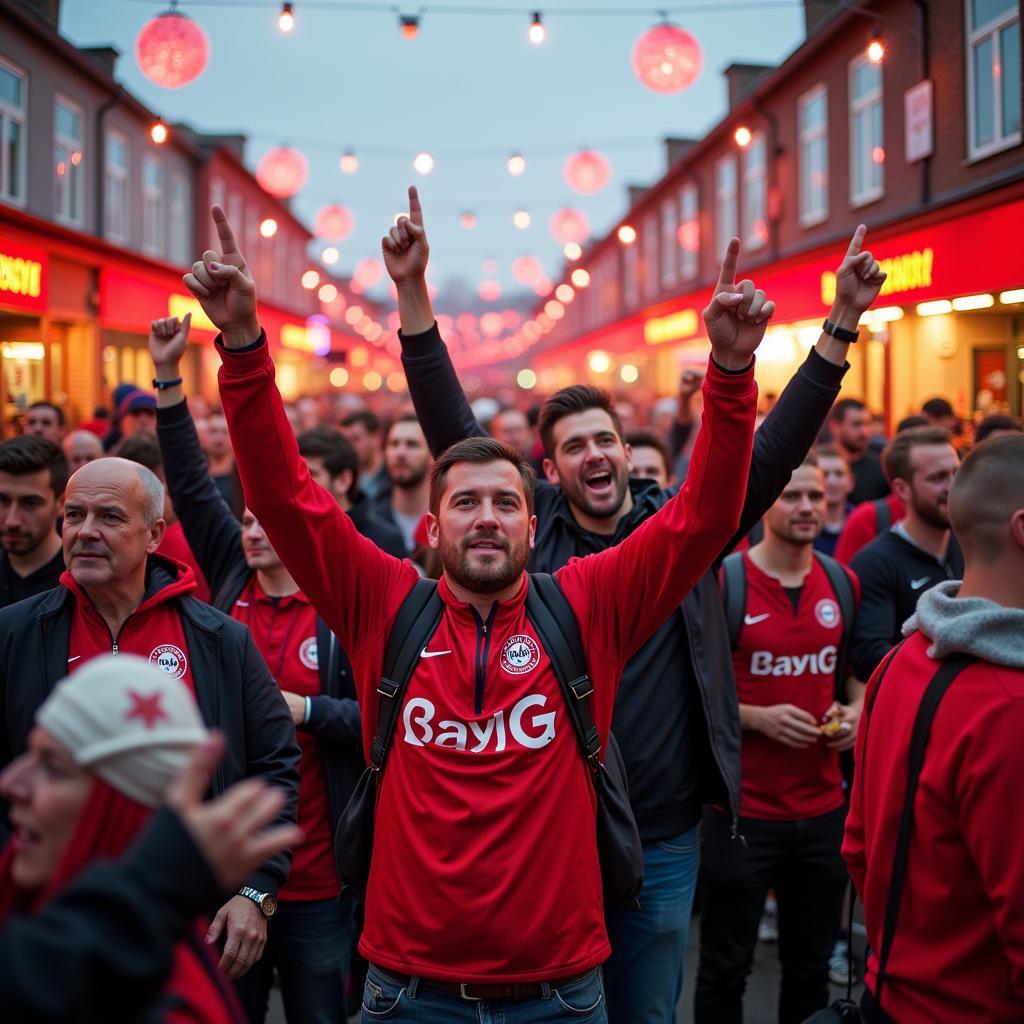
234 690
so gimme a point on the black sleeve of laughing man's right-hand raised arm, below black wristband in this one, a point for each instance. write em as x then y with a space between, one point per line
788 434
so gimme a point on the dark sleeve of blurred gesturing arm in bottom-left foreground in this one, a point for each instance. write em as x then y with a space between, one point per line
101 951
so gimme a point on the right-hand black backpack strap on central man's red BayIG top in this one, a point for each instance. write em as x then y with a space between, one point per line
554 620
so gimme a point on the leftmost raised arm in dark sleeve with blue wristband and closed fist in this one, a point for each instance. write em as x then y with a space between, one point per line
210 527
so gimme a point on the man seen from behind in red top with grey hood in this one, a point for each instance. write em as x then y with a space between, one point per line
958 952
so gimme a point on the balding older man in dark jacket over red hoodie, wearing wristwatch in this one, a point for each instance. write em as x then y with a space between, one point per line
119 596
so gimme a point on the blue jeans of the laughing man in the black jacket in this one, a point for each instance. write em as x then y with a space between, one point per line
645 975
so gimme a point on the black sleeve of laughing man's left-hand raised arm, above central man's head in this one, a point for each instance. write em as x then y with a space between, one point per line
437 394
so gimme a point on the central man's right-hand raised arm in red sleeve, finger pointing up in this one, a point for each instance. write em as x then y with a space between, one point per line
626 592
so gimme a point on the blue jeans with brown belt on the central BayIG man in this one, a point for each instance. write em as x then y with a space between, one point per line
389 999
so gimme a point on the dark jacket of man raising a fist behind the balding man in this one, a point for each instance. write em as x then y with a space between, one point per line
216 538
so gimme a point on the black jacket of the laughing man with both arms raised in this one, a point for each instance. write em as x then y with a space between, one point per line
674 761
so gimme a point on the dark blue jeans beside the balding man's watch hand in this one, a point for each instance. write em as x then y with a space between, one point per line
310 943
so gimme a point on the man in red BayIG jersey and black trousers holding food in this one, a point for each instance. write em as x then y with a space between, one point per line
792 804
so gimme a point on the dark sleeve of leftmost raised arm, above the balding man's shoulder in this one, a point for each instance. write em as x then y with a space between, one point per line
210 527
